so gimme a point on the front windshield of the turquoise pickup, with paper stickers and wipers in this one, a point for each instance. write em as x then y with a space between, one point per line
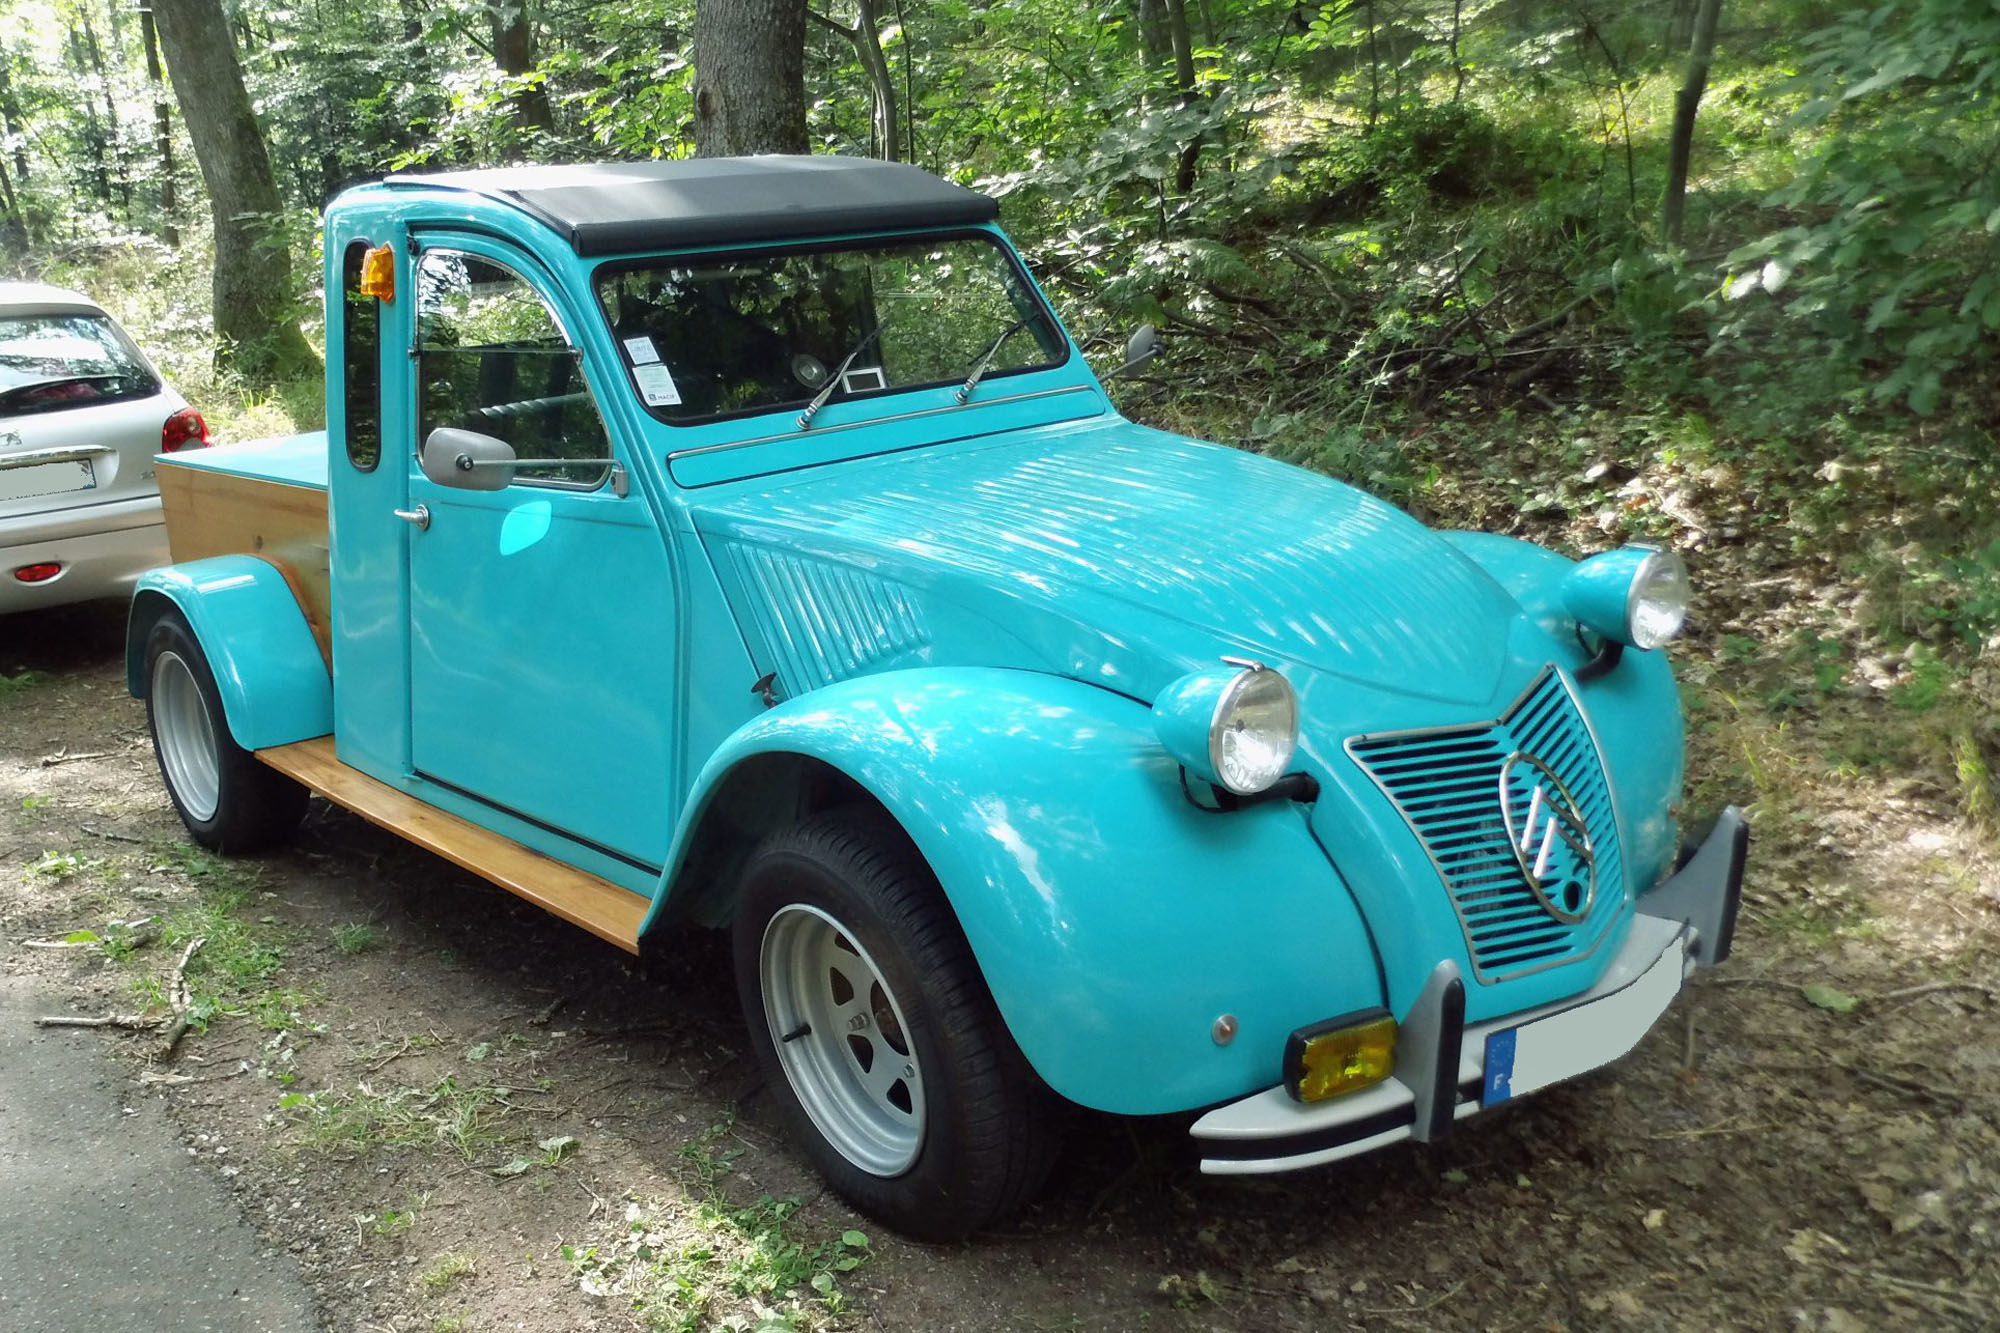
753 333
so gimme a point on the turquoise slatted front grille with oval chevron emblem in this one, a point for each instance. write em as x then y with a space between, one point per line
1447 784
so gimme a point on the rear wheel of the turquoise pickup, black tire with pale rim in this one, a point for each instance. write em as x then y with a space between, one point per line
229 800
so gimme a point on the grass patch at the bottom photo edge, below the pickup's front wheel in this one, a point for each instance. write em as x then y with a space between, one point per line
713 1264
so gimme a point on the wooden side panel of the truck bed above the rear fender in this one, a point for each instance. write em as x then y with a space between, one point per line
219 513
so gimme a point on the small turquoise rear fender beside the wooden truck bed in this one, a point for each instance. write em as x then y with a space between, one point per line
269 670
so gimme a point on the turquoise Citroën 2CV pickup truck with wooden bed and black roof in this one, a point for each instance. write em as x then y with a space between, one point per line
747 543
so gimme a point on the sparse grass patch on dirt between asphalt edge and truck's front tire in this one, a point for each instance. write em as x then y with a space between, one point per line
465 1120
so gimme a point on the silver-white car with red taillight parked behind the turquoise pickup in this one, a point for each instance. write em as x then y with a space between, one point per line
83 415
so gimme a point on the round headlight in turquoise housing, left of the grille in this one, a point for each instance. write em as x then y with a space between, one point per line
1233 730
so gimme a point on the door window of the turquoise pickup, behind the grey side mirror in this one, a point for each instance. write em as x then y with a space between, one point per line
493 357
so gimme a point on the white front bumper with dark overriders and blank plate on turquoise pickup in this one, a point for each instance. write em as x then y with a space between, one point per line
1447 1072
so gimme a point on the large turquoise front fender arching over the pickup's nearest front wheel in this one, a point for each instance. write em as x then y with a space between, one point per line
1111 918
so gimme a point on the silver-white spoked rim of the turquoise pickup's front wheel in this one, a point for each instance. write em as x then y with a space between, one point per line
843 1042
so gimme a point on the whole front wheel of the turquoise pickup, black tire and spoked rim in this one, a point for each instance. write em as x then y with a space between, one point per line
987 1126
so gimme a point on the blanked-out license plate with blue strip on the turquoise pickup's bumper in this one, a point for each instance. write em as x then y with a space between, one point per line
1563 1046
